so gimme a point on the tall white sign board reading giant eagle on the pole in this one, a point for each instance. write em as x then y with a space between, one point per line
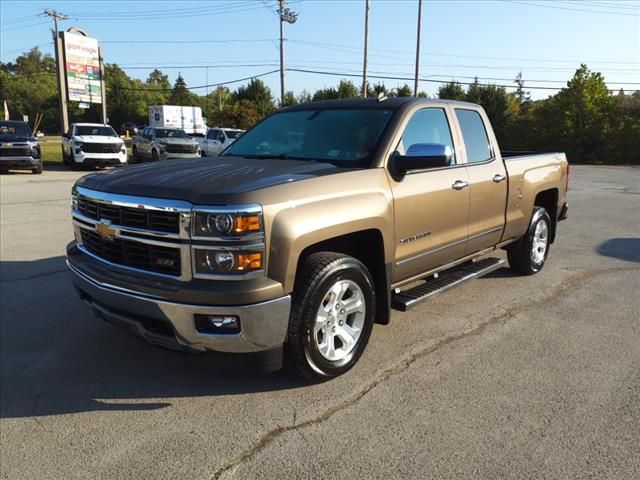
82 68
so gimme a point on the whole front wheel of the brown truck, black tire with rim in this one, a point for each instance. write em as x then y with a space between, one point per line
332 315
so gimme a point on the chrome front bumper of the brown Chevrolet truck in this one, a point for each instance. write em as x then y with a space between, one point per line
263 326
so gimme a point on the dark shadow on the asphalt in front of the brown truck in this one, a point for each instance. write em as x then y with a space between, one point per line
57 358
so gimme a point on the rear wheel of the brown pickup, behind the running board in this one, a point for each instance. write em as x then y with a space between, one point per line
527 256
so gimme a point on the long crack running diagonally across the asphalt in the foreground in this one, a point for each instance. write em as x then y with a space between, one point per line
574 281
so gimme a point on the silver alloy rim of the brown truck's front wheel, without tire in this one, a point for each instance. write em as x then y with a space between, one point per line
339 320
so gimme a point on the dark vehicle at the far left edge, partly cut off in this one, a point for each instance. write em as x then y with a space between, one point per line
19 149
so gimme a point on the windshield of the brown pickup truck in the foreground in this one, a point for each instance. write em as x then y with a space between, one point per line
344 137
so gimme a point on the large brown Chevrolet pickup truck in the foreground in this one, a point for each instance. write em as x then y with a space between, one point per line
311 227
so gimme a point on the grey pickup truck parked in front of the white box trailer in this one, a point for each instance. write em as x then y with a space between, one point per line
163 143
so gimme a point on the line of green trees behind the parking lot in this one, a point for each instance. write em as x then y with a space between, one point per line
584 119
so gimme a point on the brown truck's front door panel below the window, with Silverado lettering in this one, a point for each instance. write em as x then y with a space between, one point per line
431 220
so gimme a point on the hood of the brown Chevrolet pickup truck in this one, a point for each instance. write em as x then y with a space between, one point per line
208 181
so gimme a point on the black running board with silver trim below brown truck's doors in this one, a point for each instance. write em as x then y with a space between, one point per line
453 277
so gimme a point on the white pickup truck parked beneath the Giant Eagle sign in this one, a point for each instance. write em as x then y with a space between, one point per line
88 145
